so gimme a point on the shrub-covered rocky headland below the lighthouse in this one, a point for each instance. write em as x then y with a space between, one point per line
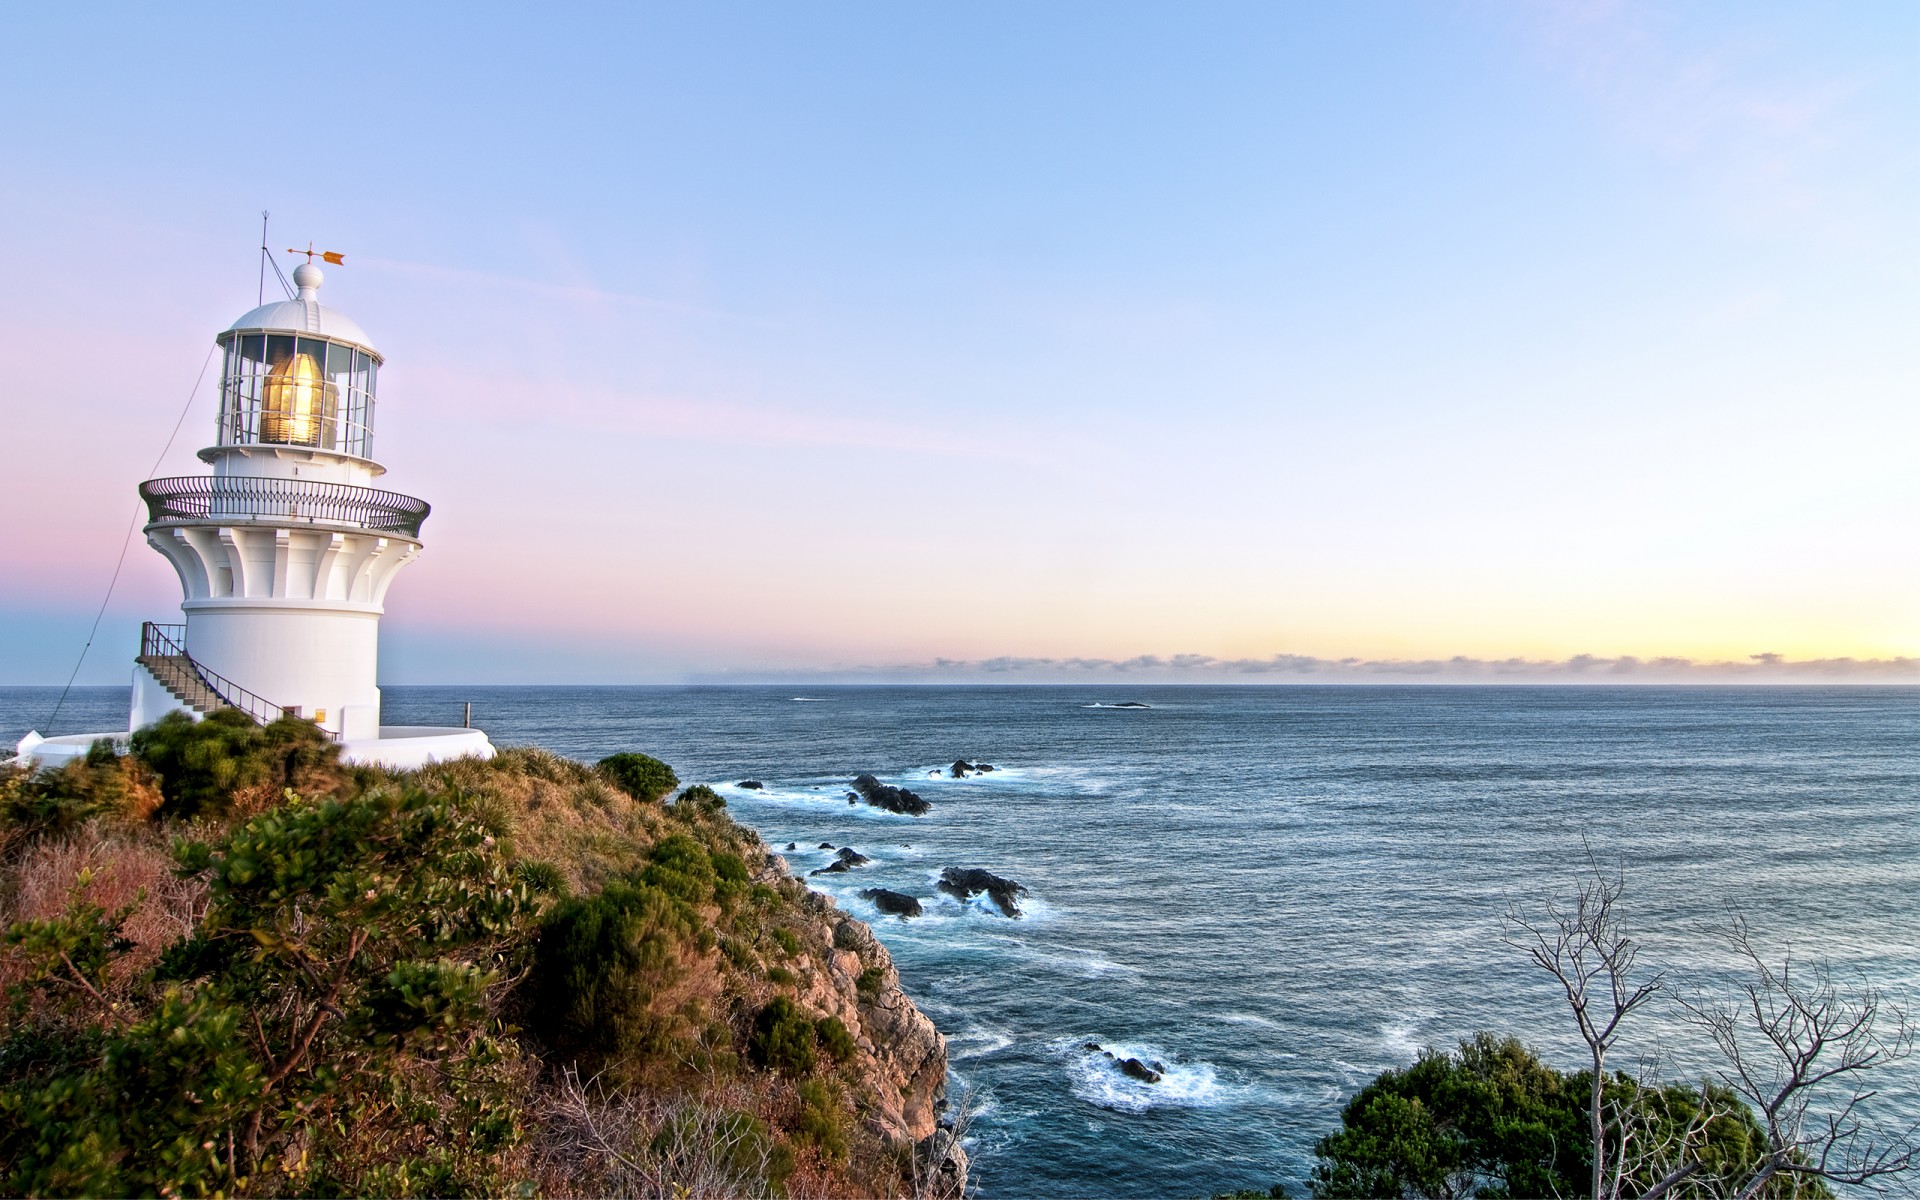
235 965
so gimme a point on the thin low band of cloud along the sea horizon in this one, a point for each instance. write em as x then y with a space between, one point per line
1460 669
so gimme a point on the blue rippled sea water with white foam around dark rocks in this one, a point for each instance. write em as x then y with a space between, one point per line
1276 892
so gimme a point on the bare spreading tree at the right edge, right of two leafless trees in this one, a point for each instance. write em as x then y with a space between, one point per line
1798 1049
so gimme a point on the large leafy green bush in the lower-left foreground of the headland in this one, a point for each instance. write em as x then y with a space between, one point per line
345 963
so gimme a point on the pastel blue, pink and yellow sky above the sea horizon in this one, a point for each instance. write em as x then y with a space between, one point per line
999 341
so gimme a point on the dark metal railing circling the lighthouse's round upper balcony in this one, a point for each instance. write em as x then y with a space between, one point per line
281 502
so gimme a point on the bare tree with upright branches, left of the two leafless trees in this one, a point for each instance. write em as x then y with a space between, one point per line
1587 949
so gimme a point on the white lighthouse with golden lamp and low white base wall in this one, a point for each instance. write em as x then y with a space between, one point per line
287 550
